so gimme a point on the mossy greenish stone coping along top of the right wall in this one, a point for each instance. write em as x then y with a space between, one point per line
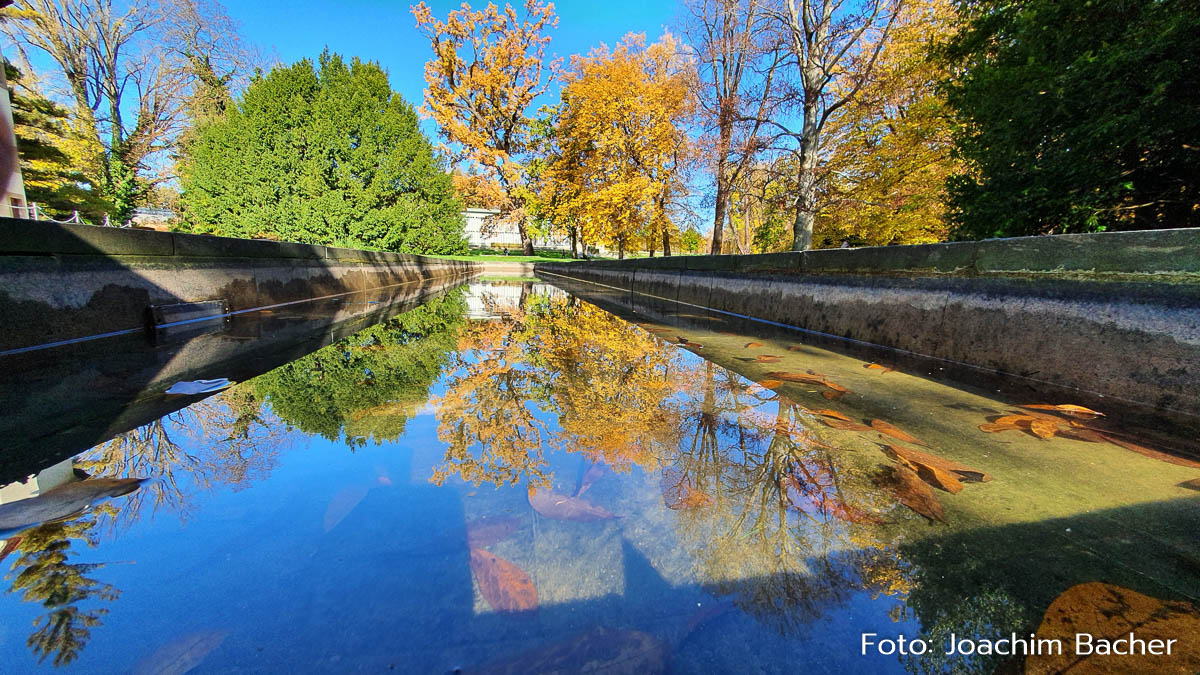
1167 255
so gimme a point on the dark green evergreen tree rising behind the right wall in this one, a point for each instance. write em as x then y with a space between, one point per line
1079 116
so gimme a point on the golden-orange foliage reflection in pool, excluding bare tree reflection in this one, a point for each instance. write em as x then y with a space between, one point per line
605 383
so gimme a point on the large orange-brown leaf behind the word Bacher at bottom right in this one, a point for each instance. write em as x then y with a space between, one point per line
1109 613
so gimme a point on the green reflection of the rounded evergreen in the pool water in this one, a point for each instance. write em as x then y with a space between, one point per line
370 384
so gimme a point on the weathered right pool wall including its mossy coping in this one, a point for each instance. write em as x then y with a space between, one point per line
1114 315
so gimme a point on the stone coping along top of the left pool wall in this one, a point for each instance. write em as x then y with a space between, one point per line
20 237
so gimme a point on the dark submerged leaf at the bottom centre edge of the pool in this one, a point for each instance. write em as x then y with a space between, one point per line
601 650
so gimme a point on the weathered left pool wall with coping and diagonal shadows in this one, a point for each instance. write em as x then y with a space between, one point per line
70 282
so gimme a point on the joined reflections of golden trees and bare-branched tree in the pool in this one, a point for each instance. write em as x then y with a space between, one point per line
776 519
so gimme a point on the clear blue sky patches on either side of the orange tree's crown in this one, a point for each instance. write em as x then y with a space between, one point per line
385 32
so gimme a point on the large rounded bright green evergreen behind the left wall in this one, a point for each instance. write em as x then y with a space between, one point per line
326 154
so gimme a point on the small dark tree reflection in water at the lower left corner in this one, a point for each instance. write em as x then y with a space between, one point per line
44 575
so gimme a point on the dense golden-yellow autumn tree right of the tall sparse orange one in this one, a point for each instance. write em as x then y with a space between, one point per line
623 151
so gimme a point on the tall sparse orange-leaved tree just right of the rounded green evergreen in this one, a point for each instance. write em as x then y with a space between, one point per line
489 67
